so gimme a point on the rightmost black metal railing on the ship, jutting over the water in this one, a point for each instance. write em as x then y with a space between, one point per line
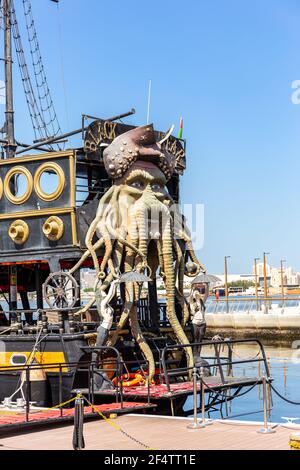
218 361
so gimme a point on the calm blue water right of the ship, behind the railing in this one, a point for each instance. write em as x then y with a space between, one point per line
284 370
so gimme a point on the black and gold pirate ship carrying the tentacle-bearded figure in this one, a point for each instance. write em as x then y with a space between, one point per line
112 207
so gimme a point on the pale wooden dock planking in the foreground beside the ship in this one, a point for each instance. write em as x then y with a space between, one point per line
159 433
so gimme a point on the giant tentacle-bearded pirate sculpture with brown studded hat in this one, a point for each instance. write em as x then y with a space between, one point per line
142 231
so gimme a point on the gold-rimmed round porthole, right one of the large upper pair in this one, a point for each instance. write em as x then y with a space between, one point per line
49 181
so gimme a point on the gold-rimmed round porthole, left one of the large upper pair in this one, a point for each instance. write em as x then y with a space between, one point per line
18 185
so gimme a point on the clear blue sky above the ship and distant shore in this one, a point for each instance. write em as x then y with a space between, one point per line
227 68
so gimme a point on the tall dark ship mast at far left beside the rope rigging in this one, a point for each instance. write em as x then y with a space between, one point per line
11 145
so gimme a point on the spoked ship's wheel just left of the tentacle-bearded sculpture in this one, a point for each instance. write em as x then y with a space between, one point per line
61 290
